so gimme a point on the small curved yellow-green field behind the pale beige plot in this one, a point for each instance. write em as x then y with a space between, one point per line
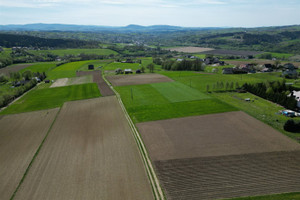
67 70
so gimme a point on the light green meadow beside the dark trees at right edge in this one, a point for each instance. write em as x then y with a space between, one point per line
259 108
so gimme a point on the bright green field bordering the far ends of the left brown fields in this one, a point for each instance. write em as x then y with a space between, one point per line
45 98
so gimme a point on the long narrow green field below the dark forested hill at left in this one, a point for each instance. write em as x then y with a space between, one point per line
63 52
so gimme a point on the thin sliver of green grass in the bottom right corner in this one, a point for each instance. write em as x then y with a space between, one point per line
287 196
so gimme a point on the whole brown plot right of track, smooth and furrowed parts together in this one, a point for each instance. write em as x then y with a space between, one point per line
221 155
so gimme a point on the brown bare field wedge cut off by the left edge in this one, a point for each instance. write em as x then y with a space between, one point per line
20 138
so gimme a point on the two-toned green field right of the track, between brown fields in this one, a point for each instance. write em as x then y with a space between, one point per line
161 101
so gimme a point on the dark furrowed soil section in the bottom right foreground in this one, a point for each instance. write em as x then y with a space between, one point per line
230 176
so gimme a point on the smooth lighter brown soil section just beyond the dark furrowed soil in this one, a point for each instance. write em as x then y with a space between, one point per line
212 135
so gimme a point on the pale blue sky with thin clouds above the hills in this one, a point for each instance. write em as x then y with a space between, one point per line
188 13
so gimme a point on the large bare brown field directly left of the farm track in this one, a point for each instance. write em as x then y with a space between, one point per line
90 153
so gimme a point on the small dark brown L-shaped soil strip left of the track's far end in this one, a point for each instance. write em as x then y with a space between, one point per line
97 78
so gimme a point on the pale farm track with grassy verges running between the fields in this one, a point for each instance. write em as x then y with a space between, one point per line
157 190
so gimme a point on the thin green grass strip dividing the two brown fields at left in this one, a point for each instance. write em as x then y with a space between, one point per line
35 155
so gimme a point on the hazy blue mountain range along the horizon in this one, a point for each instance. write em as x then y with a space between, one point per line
91 28
